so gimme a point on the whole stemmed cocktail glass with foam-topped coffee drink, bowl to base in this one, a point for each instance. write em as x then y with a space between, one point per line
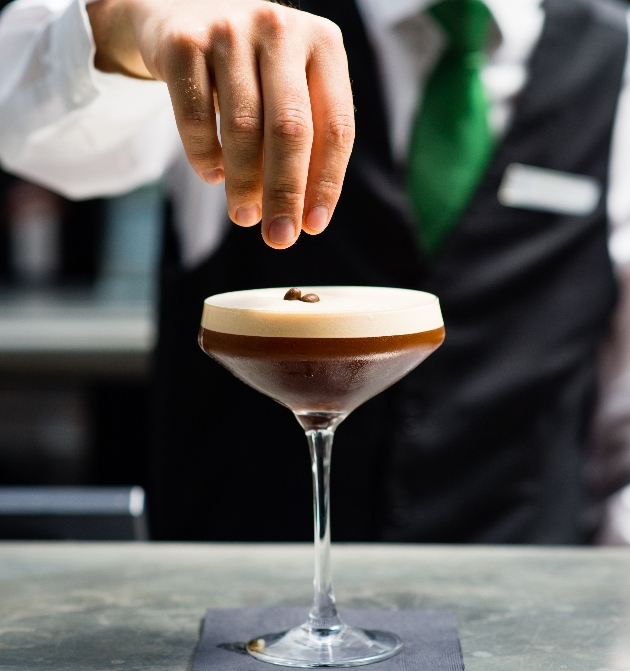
321 359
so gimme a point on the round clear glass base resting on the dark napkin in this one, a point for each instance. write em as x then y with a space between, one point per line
306 648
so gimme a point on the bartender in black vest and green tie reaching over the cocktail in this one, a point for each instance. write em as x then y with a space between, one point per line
485 442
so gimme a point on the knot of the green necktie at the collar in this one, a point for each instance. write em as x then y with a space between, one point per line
465 22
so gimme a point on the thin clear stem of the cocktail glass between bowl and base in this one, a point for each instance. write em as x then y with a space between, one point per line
323 618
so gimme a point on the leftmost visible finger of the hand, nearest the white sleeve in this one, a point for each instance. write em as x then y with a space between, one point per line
191 92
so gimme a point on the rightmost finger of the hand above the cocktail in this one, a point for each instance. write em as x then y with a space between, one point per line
333 121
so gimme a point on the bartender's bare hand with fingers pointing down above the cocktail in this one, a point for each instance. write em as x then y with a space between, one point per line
280 79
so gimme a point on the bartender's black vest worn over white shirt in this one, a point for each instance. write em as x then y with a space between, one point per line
484 441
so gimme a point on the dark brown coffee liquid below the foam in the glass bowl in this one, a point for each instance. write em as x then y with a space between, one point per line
329 375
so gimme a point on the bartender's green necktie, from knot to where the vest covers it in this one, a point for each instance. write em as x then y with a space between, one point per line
451 142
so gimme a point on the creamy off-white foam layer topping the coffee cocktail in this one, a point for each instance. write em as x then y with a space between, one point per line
342 312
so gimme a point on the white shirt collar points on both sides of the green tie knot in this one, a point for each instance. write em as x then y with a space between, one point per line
388 13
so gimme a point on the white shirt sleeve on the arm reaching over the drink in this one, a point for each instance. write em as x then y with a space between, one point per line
66 125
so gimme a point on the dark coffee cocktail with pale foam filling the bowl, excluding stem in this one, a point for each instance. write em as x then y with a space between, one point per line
327 356
